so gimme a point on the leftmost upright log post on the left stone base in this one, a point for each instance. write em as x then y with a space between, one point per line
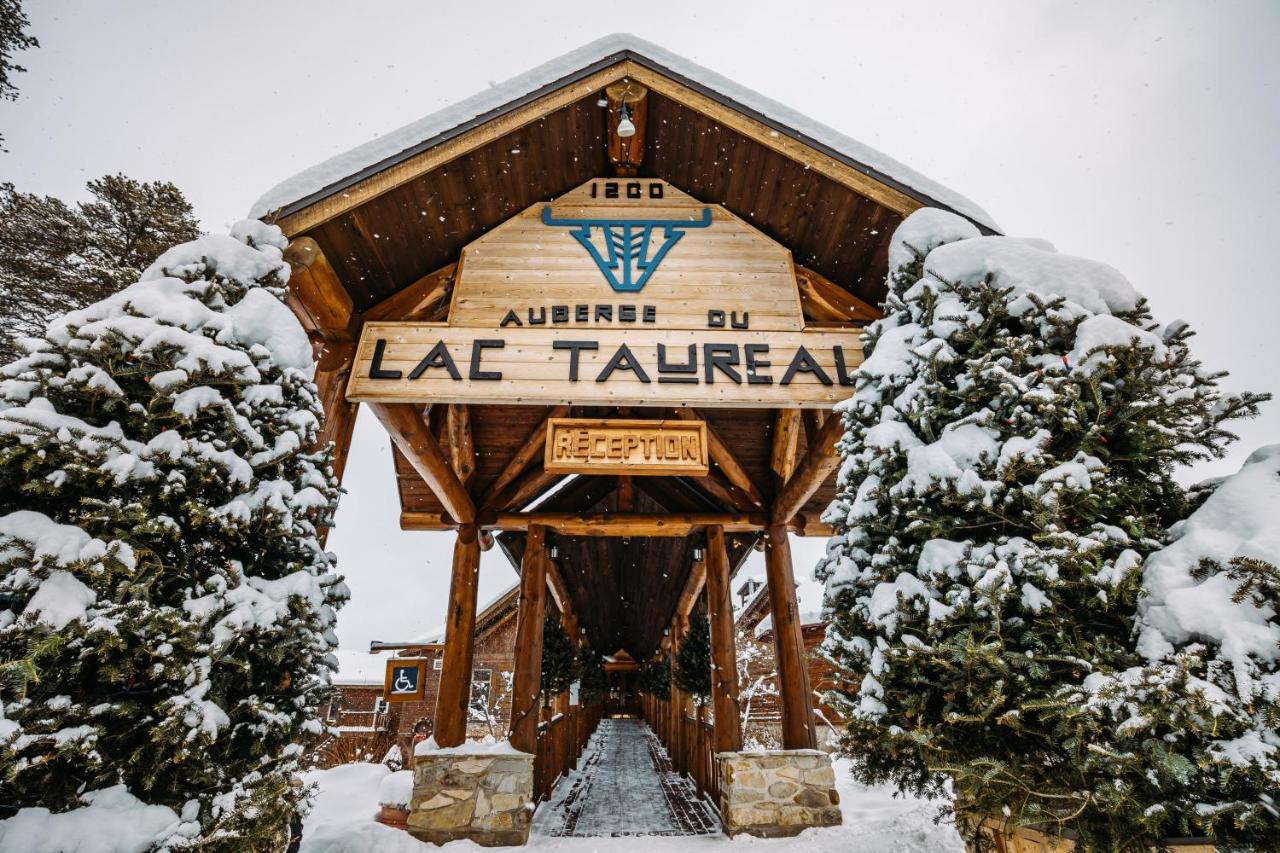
460 633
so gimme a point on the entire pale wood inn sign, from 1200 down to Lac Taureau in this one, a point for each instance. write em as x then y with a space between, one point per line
620 293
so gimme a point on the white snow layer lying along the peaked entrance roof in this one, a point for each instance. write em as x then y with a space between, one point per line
388 148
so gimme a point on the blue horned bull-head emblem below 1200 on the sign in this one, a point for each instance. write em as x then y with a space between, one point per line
629 259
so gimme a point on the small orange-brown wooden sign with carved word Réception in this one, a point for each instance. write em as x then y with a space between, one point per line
636 448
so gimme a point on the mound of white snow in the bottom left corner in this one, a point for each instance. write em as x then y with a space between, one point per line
112 822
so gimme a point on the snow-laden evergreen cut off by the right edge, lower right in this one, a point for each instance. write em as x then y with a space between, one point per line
1194 731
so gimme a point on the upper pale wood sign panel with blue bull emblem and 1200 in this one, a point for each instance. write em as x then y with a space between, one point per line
627 253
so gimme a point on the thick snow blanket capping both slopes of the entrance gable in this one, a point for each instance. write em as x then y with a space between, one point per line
346 170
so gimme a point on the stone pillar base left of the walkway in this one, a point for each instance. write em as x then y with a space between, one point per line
487 797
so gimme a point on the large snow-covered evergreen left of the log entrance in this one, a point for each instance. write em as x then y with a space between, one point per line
166 605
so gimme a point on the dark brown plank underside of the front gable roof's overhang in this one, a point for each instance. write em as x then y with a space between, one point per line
422 226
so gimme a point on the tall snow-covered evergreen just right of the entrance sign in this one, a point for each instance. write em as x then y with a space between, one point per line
1008 466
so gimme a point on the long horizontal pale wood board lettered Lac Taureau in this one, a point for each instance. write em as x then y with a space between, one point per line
438 363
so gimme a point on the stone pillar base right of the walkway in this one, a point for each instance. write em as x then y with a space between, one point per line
778 793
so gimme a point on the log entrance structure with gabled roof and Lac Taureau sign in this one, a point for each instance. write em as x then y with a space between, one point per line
533 263
